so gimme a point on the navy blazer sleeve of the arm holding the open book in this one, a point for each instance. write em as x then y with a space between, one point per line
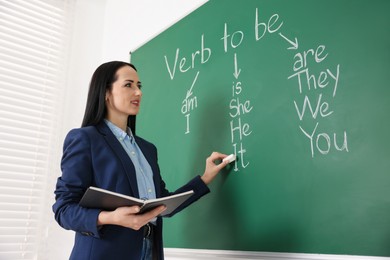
77 176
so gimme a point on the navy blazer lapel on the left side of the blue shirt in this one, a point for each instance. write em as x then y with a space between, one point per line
118 150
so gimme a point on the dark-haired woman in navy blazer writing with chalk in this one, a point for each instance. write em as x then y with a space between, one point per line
106 153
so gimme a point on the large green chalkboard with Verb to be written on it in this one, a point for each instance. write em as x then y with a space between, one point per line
299 91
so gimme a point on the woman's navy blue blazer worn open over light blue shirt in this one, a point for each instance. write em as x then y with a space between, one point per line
92 156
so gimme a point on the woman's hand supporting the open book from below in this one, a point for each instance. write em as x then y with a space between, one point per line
128 217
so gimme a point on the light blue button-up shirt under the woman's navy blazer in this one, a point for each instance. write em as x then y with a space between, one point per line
143 170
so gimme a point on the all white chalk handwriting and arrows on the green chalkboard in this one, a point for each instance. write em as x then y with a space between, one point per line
313 107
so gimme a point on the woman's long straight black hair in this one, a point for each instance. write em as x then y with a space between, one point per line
101 81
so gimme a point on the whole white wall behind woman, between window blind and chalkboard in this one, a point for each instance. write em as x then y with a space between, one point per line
106 30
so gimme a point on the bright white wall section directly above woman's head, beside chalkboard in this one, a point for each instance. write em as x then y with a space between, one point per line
130 24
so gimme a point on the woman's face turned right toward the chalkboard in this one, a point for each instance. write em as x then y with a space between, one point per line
124 98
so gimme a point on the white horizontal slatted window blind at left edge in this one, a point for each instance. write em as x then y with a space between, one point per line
34 41
